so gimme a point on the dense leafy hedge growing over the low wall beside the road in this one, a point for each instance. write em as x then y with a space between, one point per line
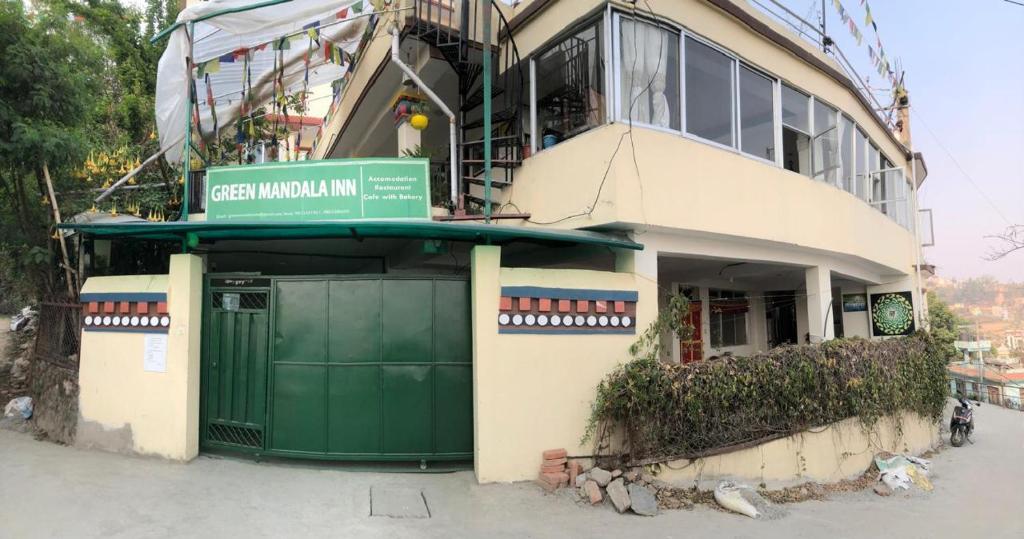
669 410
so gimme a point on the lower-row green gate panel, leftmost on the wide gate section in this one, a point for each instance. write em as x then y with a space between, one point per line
300 411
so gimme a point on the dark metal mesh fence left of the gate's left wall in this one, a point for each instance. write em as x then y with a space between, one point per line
59 335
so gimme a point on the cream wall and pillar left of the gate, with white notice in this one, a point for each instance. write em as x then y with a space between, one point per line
122 407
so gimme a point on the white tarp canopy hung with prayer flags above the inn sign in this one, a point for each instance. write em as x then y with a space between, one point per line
224 27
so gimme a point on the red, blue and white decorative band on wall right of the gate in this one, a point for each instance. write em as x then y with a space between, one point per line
567 311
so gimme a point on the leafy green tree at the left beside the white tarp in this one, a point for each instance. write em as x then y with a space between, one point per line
77 86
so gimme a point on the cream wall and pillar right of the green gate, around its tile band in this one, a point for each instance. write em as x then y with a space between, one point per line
533 393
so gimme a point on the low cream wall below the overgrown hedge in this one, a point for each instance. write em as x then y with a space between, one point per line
844 450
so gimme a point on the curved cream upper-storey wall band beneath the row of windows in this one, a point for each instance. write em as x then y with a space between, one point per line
688 185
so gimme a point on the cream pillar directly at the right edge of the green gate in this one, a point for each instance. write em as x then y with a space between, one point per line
487 289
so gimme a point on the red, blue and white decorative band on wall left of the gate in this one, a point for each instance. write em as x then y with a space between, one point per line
140 313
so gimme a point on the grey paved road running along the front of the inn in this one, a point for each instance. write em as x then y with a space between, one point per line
54 491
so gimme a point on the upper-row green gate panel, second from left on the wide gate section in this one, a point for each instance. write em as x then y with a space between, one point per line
355 321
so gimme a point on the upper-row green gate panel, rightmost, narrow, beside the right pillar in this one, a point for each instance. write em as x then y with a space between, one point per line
454 323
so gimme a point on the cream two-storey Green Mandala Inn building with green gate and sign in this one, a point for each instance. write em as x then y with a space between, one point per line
698 148
